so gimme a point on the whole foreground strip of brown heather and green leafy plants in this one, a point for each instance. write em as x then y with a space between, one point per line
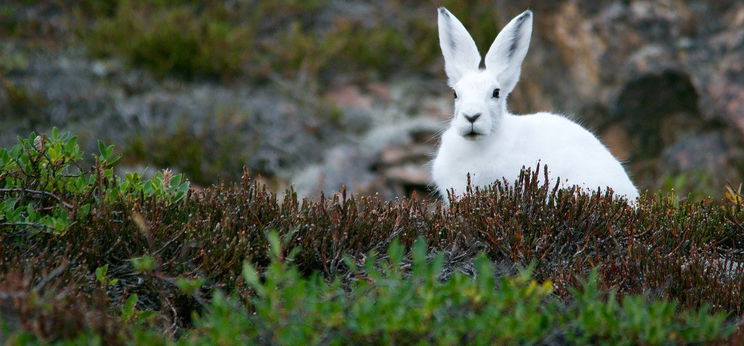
90 256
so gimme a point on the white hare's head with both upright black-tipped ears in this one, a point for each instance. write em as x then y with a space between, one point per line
480 93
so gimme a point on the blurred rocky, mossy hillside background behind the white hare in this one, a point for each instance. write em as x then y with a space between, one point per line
324 93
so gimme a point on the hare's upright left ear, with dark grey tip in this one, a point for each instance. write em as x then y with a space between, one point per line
459 50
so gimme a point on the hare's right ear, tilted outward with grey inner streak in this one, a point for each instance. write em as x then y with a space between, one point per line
504 58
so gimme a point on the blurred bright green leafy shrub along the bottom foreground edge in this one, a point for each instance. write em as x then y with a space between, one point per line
397 302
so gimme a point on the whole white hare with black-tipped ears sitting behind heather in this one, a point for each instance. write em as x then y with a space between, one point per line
489 143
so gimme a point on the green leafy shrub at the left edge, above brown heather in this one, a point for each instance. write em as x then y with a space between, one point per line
44 186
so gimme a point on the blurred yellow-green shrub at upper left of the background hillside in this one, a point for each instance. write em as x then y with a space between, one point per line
171 38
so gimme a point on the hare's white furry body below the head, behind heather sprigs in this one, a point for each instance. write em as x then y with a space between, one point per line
573 154
